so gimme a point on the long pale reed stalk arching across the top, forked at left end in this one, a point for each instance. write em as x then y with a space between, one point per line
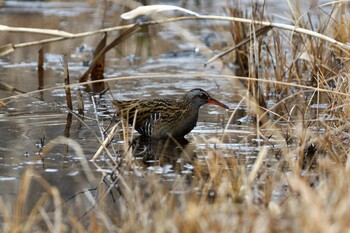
9 48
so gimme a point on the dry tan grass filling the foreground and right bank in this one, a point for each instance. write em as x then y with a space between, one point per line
305 190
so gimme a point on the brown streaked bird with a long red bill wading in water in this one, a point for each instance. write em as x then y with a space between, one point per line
165 117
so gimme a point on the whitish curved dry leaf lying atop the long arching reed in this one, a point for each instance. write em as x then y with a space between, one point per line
149 10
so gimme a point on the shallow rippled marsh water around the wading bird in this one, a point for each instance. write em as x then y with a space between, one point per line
27 120
